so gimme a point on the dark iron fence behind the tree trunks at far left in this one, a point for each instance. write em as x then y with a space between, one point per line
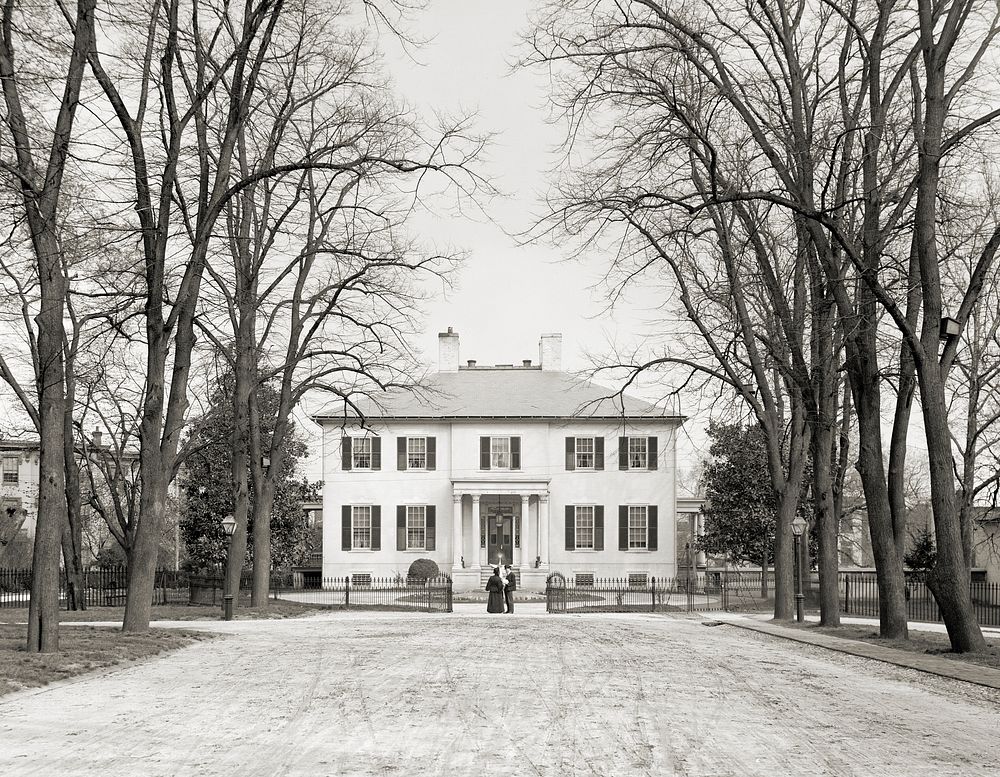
102 587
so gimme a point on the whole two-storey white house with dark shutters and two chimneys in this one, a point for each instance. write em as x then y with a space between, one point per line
525 464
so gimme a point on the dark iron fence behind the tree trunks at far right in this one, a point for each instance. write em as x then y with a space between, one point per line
859 596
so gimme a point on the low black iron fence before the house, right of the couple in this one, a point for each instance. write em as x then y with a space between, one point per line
639 593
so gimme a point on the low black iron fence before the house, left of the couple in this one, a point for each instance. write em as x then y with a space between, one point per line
365 593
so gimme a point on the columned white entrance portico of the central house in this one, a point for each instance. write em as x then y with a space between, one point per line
498 521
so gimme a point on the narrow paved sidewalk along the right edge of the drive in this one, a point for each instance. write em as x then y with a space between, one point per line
938 665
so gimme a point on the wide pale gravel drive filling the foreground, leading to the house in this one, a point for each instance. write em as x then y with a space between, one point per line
417 694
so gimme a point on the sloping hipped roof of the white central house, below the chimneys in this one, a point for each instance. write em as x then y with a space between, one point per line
503 392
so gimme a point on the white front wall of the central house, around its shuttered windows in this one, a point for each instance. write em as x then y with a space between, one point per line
542 458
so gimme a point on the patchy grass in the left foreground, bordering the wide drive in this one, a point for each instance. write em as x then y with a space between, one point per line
81 649
